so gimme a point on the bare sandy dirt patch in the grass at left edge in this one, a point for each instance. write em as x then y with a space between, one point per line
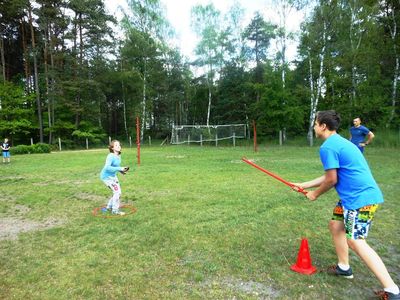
11 227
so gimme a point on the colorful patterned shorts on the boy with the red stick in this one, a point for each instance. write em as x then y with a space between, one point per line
357 222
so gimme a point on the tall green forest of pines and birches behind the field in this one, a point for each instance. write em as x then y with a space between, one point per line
64 73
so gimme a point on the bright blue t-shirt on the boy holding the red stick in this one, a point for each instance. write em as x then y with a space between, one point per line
355 184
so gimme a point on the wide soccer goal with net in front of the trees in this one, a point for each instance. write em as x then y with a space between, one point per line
186 134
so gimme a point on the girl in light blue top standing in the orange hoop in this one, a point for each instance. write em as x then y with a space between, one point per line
109 176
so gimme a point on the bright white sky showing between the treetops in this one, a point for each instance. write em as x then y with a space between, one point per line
178 14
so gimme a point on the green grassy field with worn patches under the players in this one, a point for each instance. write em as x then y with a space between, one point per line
207 226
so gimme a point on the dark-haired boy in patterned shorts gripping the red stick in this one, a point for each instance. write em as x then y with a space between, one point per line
347 170
